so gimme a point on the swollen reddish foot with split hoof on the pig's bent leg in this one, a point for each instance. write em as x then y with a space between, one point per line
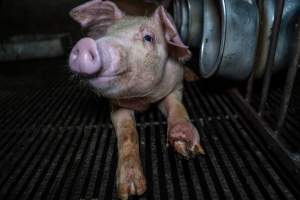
184 137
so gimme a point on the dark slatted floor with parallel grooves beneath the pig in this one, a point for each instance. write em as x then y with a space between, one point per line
57 142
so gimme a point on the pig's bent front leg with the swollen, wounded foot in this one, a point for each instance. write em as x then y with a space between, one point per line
182 134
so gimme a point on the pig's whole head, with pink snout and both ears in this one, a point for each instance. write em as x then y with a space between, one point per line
124 56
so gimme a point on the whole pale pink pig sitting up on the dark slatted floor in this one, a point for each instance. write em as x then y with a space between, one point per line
135 62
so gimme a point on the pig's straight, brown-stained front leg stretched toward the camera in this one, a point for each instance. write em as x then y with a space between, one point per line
130 178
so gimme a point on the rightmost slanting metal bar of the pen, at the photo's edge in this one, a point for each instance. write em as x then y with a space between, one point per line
291 76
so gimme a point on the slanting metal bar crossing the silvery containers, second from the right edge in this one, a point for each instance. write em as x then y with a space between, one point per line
271 55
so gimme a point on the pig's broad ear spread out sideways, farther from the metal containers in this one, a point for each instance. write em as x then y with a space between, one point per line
96 12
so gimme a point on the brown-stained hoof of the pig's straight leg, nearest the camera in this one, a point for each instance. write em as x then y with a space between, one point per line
130 179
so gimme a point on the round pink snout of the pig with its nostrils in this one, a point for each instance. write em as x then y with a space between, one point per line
84 58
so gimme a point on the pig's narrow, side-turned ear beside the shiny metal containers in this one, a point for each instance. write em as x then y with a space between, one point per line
176 47
